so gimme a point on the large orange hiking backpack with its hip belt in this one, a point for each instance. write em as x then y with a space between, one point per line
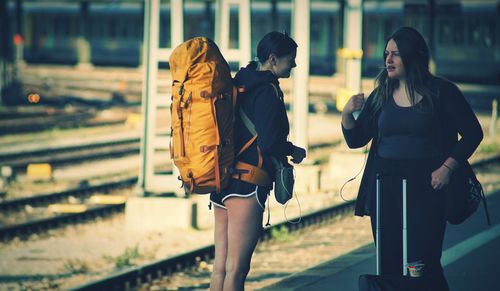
202 110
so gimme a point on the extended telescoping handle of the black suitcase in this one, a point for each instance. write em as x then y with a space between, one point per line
378 231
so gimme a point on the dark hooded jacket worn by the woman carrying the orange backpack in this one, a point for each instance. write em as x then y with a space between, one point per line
268 113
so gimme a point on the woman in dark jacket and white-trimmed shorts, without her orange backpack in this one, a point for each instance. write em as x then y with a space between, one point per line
238 209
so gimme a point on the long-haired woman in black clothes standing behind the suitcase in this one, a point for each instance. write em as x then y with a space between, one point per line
413 119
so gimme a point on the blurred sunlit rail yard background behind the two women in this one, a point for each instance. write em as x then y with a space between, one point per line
87 189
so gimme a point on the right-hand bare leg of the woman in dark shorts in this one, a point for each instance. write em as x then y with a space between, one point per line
243 231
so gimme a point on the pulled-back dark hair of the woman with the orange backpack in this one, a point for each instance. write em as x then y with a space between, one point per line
277 43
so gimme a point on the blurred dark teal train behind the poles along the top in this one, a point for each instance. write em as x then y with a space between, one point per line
465 36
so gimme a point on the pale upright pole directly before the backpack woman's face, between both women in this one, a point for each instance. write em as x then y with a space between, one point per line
300 106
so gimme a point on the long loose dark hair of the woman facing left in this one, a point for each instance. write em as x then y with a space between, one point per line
415 56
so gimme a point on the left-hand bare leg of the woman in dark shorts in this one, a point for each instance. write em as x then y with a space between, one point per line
220 239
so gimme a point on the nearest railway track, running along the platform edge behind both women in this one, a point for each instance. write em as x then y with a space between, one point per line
140 276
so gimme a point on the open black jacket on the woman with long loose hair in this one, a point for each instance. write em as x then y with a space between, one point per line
452 116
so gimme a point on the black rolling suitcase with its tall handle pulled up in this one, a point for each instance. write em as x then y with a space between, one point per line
384 282
